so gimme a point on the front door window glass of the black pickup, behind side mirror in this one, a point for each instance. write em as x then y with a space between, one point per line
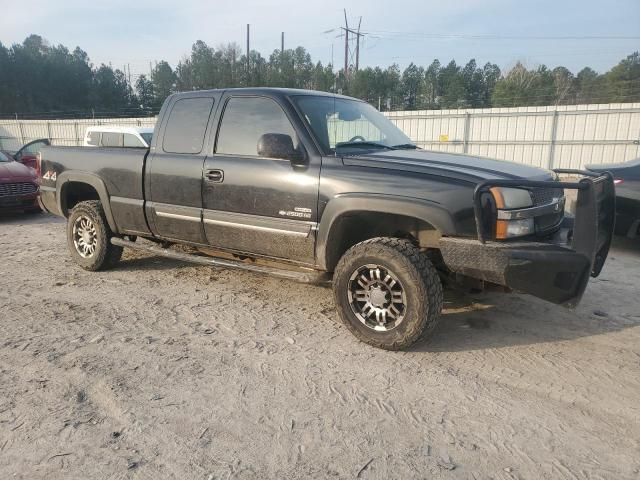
246 119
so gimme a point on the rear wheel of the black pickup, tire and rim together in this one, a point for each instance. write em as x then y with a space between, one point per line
89 237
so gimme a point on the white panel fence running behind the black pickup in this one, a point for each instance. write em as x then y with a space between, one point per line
555 137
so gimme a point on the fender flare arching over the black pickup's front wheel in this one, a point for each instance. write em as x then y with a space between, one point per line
429 212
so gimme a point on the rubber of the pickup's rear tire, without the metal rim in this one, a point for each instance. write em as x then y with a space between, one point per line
107 255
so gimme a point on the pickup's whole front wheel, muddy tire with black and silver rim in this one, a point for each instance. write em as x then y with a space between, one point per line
387 292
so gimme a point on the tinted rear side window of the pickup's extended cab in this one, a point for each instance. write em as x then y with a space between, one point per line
186 125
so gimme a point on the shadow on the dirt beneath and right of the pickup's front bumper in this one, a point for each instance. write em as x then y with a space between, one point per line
495 320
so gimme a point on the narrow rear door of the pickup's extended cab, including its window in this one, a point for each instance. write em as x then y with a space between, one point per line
174 172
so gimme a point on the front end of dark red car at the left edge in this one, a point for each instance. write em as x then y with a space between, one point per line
18 186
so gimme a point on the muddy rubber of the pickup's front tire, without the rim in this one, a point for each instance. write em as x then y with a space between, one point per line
423 275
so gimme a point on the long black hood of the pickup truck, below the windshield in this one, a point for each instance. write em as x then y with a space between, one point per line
463 167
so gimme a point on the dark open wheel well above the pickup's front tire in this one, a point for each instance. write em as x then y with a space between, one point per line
355 227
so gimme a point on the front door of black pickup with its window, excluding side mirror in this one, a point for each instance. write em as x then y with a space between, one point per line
254 204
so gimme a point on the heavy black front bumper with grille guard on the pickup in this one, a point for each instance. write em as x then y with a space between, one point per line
557 269
